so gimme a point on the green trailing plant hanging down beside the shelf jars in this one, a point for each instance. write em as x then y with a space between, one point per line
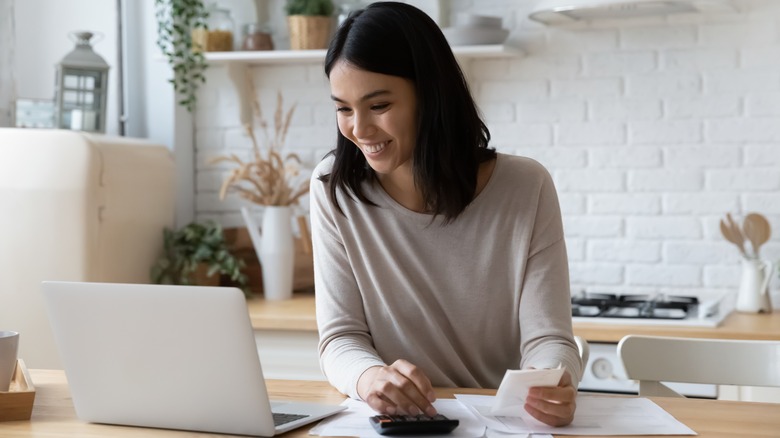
175 21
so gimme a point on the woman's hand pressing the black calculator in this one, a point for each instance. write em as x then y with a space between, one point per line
400 388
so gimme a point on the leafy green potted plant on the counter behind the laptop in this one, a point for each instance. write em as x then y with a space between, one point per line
197 254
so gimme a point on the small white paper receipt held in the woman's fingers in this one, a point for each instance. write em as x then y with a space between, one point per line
513 390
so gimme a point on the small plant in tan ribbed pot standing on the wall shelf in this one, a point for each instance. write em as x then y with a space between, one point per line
309 23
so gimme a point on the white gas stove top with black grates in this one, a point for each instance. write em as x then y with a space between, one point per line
655 309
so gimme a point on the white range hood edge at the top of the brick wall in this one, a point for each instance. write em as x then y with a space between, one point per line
567 11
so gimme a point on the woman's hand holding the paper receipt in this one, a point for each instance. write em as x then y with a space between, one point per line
553 405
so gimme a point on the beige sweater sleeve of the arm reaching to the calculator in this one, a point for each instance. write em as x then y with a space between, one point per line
345 345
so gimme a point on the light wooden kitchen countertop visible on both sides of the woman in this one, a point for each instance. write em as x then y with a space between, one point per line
298 314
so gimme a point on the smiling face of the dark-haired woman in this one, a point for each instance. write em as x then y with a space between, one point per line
378 114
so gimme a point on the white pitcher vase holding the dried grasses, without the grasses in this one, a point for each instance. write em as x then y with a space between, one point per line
275 247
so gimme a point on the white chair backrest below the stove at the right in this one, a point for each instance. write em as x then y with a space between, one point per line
654 359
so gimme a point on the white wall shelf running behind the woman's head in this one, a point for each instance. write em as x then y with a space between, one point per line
314 56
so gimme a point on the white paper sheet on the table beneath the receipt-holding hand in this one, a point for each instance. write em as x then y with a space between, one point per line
595 415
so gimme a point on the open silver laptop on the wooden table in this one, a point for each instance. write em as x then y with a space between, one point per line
173 357
